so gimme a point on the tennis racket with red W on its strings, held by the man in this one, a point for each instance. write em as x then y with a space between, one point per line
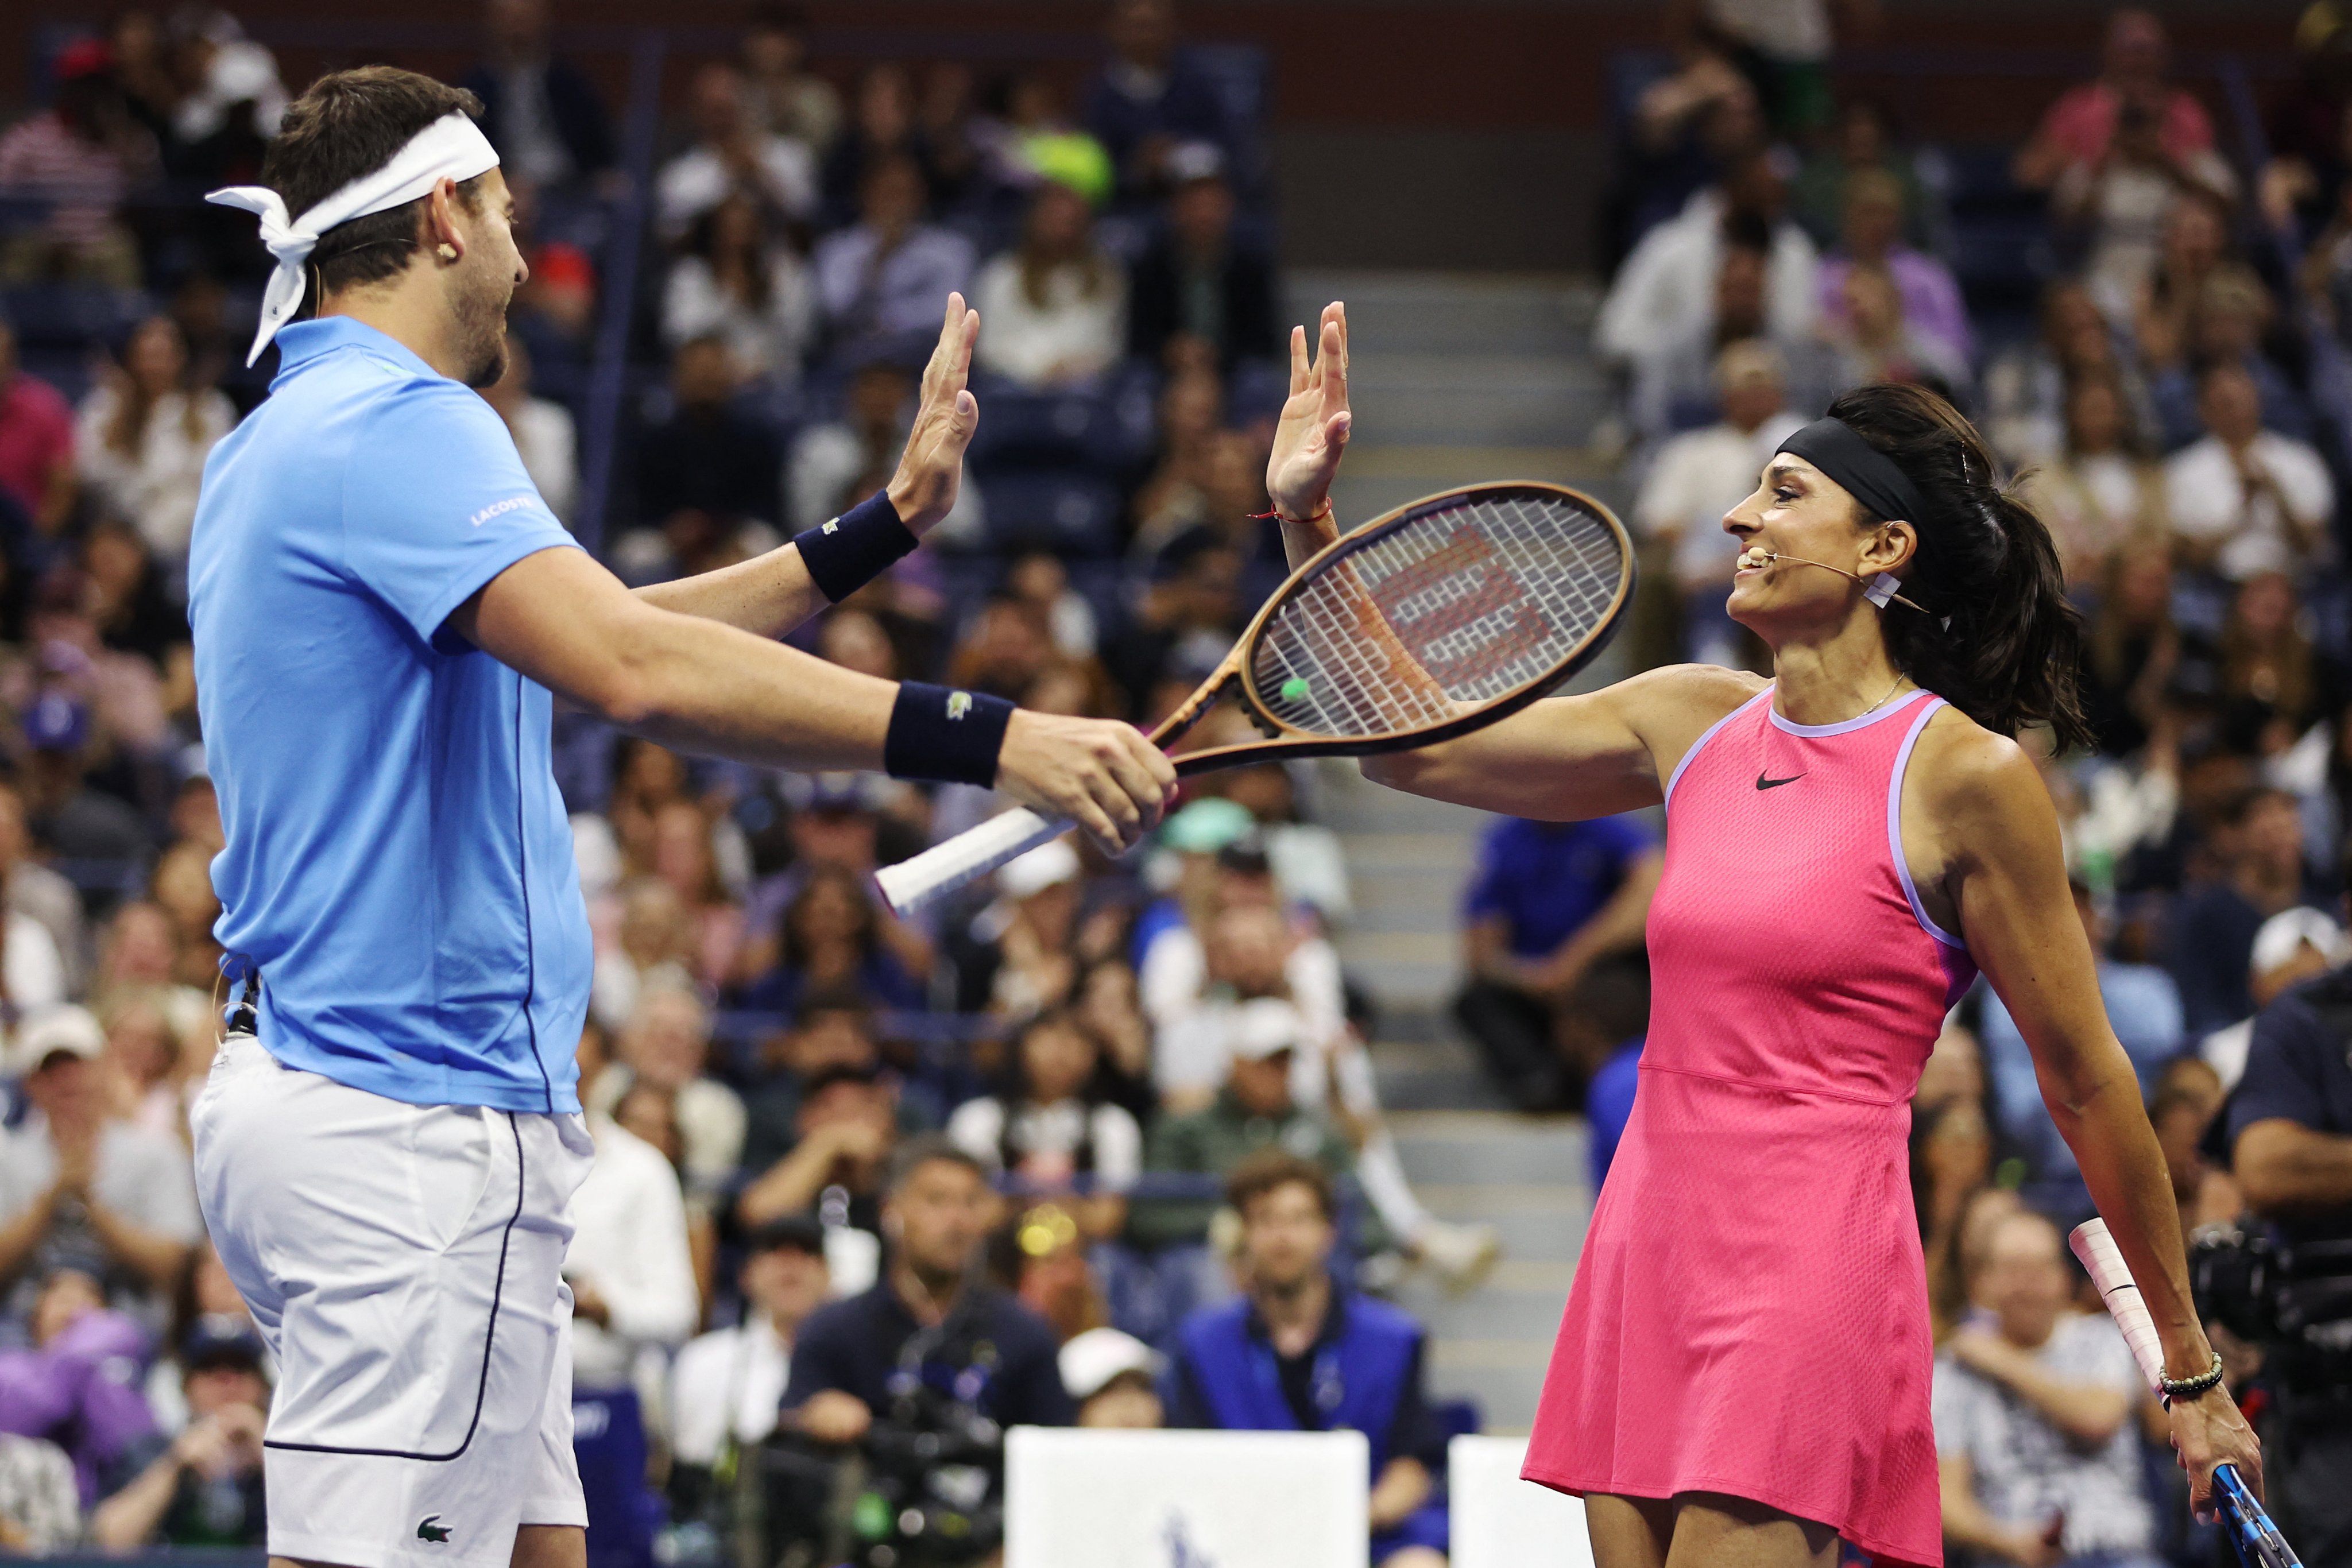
1422 626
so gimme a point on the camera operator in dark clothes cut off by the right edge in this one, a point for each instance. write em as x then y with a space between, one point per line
2290 1130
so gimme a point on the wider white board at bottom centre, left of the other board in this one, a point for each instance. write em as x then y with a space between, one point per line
1097 1499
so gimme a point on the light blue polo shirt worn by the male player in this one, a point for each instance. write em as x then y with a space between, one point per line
399 857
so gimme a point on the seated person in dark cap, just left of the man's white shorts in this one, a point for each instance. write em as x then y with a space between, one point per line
201 1487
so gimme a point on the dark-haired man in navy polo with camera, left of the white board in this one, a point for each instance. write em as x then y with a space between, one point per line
928 1369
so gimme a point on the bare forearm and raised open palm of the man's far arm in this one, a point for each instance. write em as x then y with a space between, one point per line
775 594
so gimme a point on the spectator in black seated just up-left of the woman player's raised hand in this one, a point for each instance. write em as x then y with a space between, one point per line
1201 283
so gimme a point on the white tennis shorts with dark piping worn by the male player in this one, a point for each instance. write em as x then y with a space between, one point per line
406 1268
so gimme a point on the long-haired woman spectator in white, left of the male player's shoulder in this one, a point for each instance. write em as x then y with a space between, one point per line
145 434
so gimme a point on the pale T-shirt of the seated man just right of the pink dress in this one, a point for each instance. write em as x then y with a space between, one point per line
2026 1468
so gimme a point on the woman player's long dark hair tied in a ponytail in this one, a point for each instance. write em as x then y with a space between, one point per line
2000 638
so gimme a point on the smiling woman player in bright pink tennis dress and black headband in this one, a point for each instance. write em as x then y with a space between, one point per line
1744 1367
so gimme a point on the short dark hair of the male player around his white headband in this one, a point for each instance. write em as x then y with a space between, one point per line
342 128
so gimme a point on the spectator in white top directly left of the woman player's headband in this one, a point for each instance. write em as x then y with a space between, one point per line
1702 476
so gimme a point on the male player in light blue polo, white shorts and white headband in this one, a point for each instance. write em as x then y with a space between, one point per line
382 610
